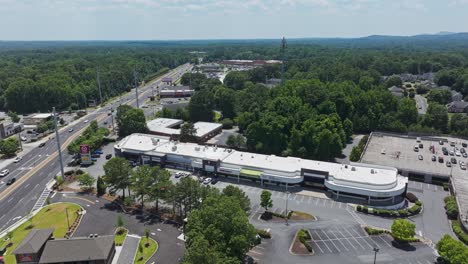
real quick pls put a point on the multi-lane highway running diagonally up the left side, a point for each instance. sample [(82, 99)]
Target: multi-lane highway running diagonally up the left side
[(40, 165)]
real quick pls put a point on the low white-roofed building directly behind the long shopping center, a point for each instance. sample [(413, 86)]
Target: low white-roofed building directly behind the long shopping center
[(169, 127)]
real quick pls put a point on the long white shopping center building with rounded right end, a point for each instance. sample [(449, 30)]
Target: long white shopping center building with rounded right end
[(371, 184)]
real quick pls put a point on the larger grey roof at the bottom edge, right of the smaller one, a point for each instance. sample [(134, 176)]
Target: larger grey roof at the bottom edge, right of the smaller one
[(77, 249)]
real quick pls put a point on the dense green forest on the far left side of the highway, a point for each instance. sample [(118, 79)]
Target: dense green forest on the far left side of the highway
[(36, 80)]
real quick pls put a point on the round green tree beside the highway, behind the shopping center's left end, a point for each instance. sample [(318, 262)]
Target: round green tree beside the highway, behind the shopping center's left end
[(130, 120)]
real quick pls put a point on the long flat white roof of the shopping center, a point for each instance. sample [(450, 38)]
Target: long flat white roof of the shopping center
[(356, 173)]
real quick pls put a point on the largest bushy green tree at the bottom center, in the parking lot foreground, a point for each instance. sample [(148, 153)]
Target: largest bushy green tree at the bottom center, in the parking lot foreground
[(219, 223)]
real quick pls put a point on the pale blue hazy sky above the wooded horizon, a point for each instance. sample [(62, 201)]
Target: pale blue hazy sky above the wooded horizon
[(225, 19)]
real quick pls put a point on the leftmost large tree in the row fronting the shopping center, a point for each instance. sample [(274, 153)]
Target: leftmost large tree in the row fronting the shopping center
[(117, 172)]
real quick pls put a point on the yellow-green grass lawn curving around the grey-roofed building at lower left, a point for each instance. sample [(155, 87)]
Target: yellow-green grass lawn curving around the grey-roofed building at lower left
[(52, 216)]
